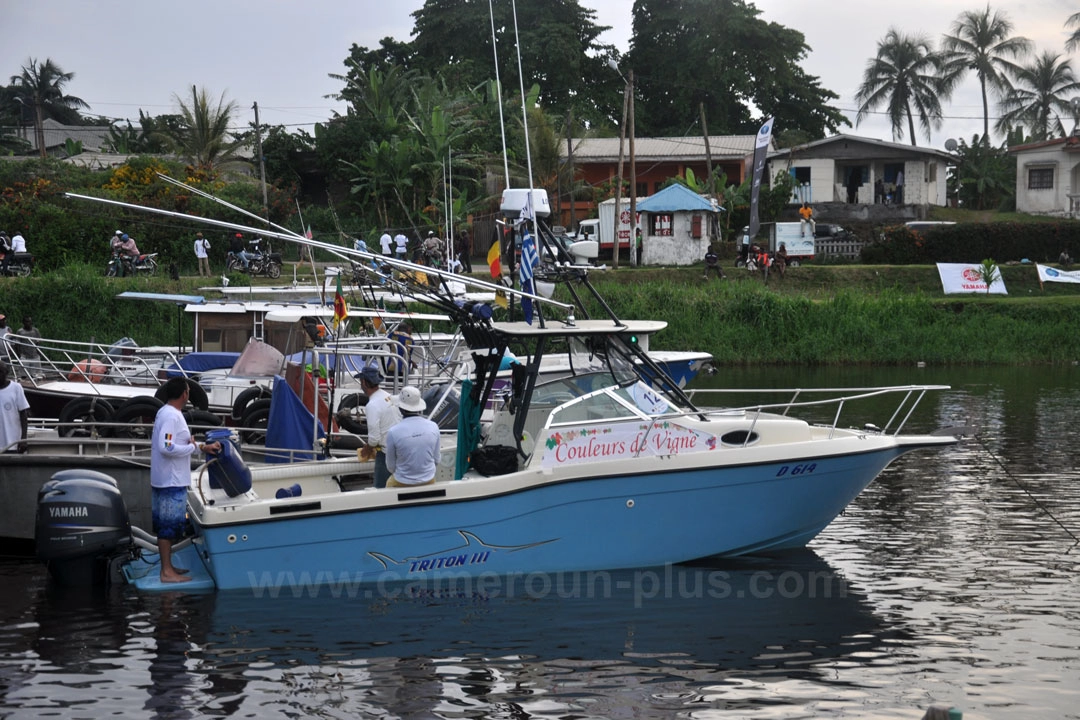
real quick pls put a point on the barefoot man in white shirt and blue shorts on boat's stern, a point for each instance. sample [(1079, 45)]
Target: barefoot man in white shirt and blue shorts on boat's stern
[(172, 447)]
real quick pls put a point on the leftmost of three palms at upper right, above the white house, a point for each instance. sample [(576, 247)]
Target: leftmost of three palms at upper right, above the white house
[(904, 74)]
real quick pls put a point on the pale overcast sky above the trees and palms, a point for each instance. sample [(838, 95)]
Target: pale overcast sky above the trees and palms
[(137, 55)]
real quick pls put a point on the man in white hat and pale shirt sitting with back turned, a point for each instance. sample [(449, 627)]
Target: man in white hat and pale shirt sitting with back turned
[(413, 452)]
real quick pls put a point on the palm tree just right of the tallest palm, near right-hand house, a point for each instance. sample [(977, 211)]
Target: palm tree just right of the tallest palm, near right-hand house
[(1039, 91)]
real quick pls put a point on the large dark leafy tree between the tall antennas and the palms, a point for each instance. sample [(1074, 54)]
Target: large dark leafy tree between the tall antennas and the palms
[(721, 56)]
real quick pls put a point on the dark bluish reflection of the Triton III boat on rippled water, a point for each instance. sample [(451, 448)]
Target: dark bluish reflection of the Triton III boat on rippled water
[(672, 637)]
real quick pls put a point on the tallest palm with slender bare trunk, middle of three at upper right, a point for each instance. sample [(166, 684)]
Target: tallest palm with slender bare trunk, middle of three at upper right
[(981, 42)]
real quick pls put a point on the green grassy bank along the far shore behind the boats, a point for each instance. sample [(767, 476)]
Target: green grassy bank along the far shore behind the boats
[(818, 315)]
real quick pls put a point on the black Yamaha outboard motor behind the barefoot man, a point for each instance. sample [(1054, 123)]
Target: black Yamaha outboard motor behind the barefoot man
[(83, 527)]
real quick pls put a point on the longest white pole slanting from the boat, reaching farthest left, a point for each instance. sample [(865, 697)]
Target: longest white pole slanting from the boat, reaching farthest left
[(293, 238)]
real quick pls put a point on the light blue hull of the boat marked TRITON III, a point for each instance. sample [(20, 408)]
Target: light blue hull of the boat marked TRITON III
[(582, 525)]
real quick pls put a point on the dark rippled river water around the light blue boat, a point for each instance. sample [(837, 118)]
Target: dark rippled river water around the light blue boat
[(952, 580)]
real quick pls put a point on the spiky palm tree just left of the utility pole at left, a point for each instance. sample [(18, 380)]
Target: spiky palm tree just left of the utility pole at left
[(202, 137)]
